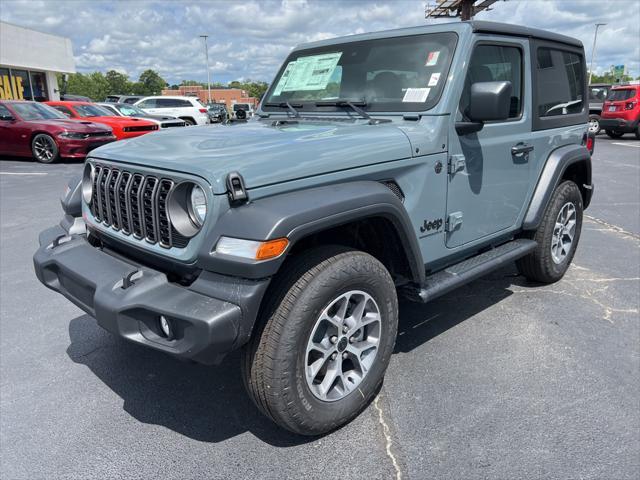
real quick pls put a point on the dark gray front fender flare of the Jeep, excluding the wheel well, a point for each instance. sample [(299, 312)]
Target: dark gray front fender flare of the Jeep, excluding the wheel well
[(296, 215)]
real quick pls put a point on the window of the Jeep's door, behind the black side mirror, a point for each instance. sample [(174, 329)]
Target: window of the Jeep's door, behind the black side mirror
[(495, 63)]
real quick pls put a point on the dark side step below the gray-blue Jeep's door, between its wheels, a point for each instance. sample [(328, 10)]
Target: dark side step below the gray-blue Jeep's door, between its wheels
[(472, 268)]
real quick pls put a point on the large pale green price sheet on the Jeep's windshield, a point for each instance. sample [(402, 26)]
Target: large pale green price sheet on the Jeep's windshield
[(309, 73)]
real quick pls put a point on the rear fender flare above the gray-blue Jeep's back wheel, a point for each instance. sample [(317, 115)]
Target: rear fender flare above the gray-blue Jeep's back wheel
[(555, 167)]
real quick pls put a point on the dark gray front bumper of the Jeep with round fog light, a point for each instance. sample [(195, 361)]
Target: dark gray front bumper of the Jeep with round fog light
[(211, 317)]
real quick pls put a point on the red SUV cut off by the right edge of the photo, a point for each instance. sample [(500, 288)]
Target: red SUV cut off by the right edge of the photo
[(621, 111)]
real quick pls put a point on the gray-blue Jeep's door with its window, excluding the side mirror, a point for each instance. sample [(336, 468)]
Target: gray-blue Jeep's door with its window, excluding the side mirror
[(488, 184)]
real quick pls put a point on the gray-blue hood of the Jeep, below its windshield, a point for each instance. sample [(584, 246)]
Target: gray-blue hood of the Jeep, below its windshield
[(262, 152)]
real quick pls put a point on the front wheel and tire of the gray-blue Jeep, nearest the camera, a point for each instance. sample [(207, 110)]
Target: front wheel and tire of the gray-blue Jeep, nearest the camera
[(324, 342)]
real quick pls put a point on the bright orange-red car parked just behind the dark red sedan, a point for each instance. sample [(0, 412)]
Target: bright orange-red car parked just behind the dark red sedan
[(123, 127)]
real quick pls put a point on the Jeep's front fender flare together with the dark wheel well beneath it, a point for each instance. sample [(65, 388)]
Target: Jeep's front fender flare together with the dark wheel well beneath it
[(363, 214)]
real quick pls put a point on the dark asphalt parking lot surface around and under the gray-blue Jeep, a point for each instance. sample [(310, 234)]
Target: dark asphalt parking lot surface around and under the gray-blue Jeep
[(502, 379)]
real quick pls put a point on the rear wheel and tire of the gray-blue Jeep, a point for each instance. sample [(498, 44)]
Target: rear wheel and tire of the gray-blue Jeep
[(556, 245)]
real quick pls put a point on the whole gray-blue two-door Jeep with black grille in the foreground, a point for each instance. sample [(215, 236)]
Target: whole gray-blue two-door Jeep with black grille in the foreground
[(403, 162)]
